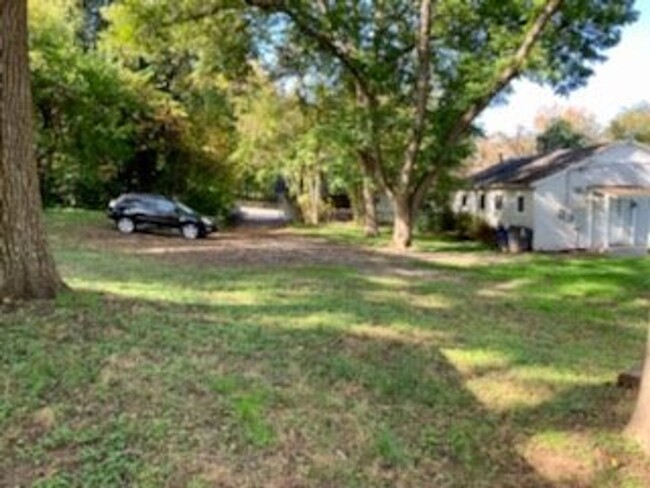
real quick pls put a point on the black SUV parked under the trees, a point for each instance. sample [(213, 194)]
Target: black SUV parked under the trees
[(138, 210)]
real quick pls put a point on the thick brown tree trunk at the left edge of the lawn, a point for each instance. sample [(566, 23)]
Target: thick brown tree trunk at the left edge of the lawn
[(26, 266)]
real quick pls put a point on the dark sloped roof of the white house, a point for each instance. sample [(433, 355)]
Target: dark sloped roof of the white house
[(524, 171)]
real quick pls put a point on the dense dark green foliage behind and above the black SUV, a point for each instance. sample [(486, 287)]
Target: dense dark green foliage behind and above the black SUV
[(107, 123)]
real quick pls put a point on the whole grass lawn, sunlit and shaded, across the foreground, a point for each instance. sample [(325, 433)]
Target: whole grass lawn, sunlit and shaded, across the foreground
[(456, 367)]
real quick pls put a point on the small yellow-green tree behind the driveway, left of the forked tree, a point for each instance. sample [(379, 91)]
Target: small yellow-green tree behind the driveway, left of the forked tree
[(286, 136)]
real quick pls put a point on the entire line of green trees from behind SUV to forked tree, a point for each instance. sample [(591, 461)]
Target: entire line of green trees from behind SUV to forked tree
[(202, 99)]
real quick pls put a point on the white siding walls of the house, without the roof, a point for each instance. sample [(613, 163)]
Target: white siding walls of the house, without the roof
[(566, 210)]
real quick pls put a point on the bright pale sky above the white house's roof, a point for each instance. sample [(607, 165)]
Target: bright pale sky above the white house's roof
[(621, 81)]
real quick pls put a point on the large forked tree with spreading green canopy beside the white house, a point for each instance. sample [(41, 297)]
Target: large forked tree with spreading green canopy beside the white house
[(423, 71)]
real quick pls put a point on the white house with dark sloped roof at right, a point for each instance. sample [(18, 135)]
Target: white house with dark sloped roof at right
[(595, 198)]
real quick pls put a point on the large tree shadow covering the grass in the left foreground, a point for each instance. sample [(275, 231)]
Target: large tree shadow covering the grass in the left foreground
[(213, 394)]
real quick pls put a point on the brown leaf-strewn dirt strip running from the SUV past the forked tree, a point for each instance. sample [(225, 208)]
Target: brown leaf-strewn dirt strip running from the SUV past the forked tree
[(260, 246)]
